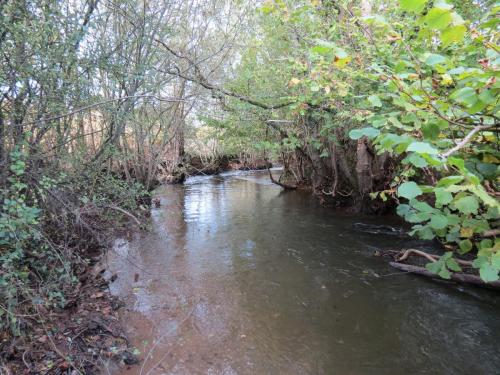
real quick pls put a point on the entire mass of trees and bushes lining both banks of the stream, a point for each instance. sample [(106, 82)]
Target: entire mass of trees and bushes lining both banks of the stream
[(95, 98)]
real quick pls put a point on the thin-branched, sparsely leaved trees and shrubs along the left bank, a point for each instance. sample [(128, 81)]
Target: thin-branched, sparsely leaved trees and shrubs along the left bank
[(92, 112)]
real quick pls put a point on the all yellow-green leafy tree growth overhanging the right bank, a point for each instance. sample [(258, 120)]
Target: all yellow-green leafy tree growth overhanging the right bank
[(417, 80)]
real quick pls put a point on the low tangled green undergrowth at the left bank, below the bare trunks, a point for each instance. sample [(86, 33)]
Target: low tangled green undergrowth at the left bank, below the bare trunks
[(49, 228)]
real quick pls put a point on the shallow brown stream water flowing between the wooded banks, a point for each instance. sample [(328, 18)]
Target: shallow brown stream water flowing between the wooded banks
[(238, 276)]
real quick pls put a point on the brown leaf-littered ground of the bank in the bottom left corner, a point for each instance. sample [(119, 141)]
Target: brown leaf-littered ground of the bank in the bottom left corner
[(82, 338)]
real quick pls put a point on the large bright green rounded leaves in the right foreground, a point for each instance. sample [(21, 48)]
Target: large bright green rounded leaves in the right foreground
[(437, 107)]
